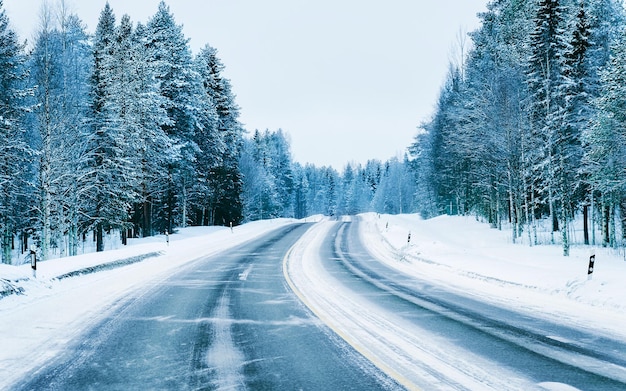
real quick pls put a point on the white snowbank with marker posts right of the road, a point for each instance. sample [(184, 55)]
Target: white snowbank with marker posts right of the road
[(464, 254)]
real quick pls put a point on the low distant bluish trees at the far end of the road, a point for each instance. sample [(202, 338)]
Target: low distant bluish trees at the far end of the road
[(276, 186)]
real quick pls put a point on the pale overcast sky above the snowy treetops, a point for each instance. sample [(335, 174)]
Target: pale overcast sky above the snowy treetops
[(347, 80)]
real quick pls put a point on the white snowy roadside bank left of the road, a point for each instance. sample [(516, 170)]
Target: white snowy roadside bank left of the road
[(38, 324)]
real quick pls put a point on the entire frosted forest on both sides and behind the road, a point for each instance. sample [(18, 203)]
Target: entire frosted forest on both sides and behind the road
[(126, 131)]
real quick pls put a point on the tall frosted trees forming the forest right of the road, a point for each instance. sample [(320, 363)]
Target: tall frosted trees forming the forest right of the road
[(531, 125)]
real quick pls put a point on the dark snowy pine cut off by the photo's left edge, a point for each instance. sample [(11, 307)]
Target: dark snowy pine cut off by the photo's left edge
[(15, 153)]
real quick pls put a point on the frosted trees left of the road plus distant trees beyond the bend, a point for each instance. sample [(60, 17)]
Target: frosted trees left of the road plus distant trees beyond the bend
[(126, 131)]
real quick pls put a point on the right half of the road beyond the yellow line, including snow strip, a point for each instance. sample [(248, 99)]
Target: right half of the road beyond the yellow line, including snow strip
[(430, 338)]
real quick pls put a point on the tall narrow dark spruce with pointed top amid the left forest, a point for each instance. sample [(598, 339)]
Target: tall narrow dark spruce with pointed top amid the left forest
[(112, 181)]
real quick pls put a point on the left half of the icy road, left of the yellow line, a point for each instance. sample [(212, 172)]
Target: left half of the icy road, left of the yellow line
[(224, 322)]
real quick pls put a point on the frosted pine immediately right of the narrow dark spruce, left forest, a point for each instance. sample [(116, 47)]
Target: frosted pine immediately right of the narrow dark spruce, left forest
[(141, 109)]
